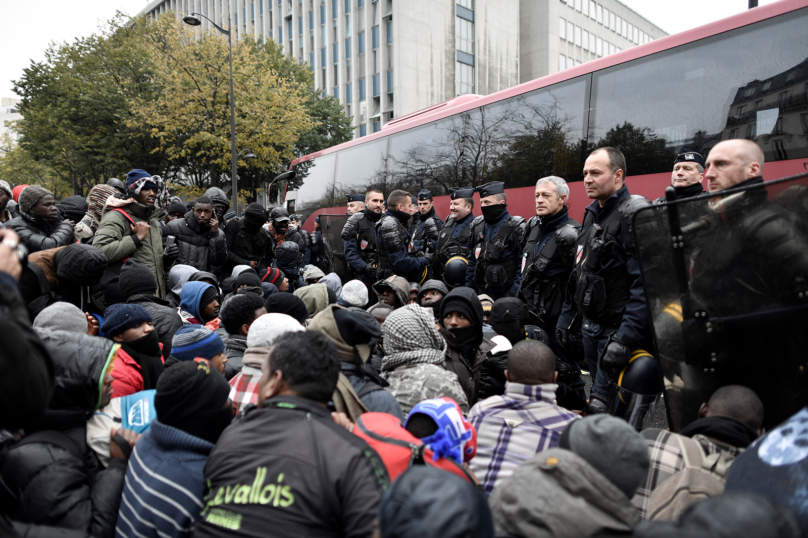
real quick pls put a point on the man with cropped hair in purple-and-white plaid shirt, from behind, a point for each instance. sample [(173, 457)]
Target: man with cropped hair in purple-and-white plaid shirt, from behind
[(515, 426)]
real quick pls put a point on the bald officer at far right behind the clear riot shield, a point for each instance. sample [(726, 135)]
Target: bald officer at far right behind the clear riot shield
[(751, 257)]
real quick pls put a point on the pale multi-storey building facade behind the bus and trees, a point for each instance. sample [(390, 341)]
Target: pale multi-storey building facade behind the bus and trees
[(384, 59)]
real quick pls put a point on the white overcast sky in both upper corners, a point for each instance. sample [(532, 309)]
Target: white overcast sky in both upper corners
[(28, 27)]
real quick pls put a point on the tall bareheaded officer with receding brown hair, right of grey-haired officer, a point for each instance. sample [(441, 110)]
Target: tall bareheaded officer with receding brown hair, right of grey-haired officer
[(608, 290)]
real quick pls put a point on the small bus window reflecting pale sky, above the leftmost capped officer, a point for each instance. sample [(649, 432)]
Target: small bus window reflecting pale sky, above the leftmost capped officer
[(361, 167)]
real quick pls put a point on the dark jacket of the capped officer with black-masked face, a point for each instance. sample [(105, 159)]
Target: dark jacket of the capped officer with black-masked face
[(497, 249)]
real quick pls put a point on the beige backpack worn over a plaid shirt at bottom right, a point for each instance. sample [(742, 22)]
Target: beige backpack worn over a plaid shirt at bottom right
[(703, 477)]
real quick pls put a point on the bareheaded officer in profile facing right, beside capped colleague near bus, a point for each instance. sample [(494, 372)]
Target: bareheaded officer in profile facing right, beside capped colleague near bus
[(396, 253)]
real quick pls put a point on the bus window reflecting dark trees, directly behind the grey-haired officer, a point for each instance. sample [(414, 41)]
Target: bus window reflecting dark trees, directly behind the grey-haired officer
[(532, 135)]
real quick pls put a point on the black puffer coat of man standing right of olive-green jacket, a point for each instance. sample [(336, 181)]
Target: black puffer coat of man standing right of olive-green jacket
[(199, 247)]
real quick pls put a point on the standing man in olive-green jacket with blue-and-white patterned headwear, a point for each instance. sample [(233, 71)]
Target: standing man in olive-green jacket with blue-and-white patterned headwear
[(130, 226)]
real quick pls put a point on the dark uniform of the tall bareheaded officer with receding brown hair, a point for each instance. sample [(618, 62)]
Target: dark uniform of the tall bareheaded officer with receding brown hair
[(608, 290)]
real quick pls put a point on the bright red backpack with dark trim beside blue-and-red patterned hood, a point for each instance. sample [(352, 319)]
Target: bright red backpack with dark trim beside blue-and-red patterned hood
[(398, 448)]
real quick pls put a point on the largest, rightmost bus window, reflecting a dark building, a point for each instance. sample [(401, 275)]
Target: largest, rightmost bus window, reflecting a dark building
[(730, 85)]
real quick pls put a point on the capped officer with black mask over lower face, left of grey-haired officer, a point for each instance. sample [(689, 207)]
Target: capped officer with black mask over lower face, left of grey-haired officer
[(497, 242)]
